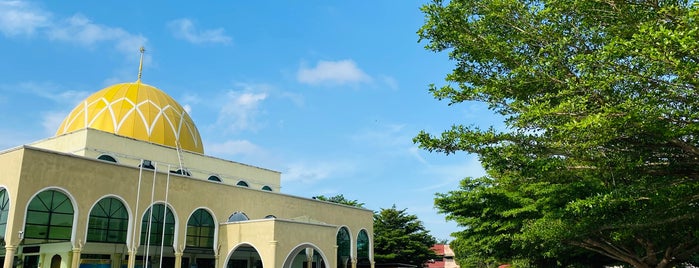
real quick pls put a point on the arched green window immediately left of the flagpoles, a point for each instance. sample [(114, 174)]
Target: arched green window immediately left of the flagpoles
[(109, 222)]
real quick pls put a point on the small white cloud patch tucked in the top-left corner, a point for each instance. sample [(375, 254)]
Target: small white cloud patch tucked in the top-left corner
[(20, 18)]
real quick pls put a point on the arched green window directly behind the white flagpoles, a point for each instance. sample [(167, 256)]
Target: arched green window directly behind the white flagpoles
[(157, 218)]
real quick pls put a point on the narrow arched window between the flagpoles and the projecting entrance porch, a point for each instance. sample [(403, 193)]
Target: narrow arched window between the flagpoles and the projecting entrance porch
[(200, 229)]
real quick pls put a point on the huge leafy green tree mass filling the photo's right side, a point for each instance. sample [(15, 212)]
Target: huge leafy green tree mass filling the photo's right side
[(601, 148)]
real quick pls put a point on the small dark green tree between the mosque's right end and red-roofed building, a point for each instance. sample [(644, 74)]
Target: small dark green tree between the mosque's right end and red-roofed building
[(401, 238)]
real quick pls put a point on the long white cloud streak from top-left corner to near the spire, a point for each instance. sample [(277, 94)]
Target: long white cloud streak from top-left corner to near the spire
[(21, 18)]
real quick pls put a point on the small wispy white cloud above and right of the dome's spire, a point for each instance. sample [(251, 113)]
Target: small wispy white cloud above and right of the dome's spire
[(185, 29)]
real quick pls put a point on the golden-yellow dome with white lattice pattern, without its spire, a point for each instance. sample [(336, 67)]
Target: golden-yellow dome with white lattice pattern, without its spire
[(138, 111)]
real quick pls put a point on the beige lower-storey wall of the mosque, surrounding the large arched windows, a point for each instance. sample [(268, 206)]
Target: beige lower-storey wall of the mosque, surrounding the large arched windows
[(87, 180)]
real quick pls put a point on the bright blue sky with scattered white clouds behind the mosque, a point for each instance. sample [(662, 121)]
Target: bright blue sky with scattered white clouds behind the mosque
[(330, 93)]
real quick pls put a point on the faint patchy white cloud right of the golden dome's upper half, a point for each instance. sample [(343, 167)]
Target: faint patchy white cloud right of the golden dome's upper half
[(239, 110)]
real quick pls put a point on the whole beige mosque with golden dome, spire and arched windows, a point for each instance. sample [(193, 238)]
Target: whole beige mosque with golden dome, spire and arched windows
[(125, 183)]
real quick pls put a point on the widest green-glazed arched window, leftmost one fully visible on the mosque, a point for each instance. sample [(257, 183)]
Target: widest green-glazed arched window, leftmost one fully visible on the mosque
[(49, 217)]
